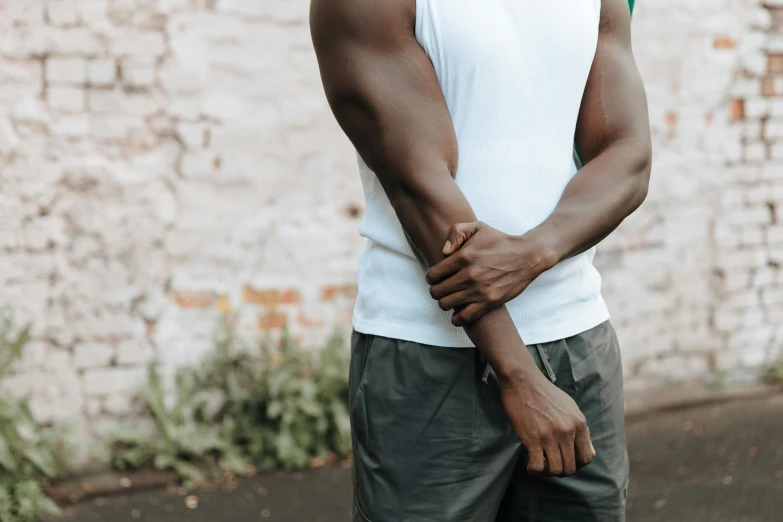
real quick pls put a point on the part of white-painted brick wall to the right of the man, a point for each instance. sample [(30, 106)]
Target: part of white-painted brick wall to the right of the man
[(687, 275)]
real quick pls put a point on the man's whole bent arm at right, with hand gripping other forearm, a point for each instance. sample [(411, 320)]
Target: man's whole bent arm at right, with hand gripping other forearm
[(486, 268)]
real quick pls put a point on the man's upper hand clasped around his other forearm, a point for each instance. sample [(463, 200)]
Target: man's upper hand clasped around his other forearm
[(484, 269)]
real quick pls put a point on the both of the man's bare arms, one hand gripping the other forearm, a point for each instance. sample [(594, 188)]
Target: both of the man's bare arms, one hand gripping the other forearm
[(385, 95)]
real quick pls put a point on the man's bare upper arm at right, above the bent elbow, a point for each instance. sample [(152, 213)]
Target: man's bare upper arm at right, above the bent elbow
[(614, 104)]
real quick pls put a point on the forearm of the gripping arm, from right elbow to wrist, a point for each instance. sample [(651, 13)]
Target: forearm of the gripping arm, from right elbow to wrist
[(598, 198)]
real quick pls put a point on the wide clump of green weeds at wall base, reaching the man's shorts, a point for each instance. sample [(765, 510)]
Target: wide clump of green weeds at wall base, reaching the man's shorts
[(274, 405)]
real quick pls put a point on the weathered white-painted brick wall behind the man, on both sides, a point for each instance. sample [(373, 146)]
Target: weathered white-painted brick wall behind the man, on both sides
[(168, 162)]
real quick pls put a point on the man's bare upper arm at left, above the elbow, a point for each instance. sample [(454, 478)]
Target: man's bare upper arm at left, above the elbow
[(383, 91)]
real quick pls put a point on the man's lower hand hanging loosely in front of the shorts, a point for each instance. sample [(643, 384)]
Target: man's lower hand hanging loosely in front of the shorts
[(548, 422)]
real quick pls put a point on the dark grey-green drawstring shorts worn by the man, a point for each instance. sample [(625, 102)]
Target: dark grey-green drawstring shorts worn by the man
[(432, 443)]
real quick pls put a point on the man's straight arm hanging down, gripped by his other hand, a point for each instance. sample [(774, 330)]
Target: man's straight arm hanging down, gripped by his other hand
[(385, 95)]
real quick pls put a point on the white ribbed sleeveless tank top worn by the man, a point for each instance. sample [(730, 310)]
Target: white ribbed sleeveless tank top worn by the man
[(513, 73)]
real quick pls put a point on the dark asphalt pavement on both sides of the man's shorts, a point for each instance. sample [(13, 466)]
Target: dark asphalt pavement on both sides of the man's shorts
[(717, 463)]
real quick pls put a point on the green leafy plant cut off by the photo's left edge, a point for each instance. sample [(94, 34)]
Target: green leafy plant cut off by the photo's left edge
[(29, 453)]
